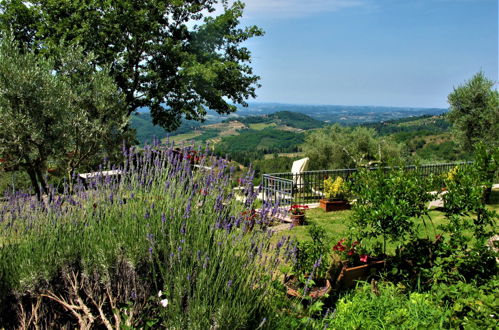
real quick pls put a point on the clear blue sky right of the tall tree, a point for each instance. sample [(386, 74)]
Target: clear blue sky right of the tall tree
[(371, 52)]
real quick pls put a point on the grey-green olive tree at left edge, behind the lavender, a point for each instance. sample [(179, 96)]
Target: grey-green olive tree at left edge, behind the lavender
[(65, 117)]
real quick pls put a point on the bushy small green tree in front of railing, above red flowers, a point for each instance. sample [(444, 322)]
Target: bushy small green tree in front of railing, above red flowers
[(387, 202)]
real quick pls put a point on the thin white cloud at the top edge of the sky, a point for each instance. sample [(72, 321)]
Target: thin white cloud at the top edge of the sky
[(297, 8)]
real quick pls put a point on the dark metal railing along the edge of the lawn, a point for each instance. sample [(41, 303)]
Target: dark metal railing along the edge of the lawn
[(307, 187)]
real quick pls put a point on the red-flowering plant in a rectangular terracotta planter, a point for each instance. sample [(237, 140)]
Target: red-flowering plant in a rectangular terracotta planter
[(351, 264)]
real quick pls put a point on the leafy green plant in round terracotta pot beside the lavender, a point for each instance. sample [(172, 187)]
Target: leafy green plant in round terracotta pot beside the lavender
[(309, 271)]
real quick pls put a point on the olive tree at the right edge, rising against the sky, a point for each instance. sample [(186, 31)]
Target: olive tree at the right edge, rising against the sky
[(474, 112)]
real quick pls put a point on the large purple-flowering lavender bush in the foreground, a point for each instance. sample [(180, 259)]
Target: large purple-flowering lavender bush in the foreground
[(163, 244)]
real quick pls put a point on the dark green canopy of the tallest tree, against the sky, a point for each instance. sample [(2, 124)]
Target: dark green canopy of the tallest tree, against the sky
[(156, 54)]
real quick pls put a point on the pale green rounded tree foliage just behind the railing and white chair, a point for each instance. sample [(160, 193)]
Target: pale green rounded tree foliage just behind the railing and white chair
[(343, 147)]
